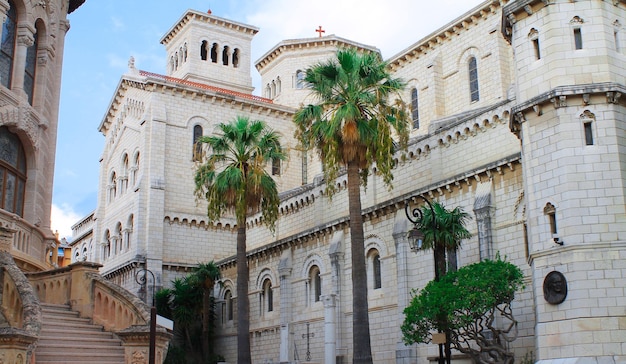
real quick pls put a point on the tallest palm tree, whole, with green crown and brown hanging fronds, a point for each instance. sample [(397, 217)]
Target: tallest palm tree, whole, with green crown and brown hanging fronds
[(351, 127)]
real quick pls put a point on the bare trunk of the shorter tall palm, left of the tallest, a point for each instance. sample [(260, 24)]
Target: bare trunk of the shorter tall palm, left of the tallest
[(243, 306)]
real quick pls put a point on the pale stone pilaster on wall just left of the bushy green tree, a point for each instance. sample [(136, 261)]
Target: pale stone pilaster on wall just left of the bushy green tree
[(404, 354)]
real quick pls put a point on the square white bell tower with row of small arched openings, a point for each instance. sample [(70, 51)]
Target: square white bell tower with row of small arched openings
[(205, 48)]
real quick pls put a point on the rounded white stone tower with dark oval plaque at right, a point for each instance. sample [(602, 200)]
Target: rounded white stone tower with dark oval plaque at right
[(569, 117)]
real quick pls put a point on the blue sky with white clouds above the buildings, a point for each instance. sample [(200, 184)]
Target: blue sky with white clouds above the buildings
[(104, 34)]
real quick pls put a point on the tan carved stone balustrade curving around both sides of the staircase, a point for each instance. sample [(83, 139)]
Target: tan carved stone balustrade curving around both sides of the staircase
[(85, 291)]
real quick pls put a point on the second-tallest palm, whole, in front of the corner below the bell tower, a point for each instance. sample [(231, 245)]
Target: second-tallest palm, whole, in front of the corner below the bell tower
[(232, 178)]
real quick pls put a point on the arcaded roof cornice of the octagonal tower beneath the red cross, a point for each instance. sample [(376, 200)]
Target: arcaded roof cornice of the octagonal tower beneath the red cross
[(315, 42)]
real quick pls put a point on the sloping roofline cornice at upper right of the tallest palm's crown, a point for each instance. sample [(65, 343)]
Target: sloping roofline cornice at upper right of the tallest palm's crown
[(446, 33)]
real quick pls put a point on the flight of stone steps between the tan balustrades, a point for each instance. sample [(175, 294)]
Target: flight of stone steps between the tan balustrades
[(68, 339)]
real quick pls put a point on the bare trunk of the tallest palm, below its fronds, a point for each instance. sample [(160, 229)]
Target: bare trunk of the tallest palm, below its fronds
[(362, 348)]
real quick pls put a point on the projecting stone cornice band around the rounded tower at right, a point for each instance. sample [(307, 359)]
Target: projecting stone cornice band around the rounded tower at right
[(558, 98)]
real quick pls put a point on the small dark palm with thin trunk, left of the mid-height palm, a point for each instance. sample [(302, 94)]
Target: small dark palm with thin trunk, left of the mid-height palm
[(206, 275)]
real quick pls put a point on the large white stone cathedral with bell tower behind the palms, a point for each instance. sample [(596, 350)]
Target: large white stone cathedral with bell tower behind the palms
[(517, 118)]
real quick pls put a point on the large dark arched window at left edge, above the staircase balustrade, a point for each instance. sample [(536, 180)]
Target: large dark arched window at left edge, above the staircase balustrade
[(12, 172)]
